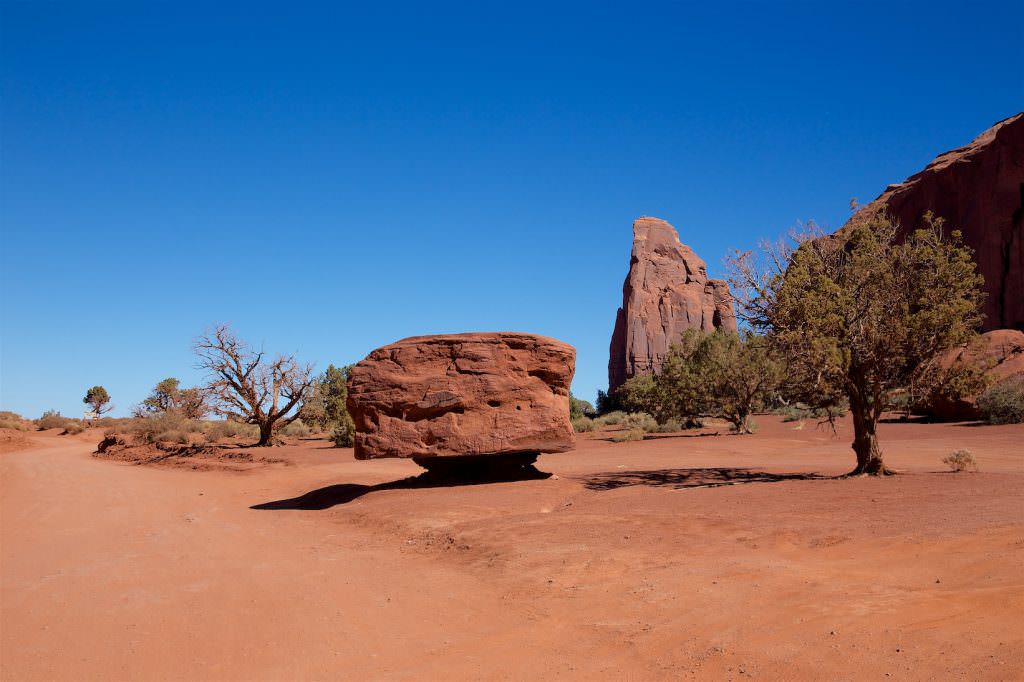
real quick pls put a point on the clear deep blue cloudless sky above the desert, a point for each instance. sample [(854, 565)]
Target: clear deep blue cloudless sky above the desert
[(333, 178)]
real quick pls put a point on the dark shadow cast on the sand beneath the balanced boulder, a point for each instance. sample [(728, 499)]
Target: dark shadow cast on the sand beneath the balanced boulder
[(331, 496)]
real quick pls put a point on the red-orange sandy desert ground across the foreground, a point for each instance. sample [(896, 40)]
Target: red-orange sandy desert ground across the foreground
[(627, 566)]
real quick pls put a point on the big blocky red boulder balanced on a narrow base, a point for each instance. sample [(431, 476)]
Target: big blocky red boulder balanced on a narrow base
[(463, 395)]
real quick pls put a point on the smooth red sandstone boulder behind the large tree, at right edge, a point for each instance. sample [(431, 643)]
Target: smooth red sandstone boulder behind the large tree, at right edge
[(1000, 354)]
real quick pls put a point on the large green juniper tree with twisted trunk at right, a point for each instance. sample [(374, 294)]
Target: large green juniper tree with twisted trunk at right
[(856, 315)]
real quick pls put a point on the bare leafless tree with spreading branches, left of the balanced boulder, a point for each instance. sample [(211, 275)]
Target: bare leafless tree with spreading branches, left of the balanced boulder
[(246, 387)]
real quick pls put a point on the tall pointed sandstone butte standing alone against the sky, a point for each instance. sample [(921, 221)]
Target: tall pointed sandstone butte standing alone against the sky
[(667, 292)]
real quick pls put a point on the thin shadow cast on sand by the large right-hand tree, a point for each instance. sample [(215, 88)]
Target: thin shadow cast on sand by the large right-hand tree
[(684, 479)]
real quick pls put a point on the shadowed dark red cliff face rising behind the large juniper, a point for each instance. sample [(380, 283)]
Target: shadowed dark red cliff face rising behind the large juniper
[(979, 190)]
